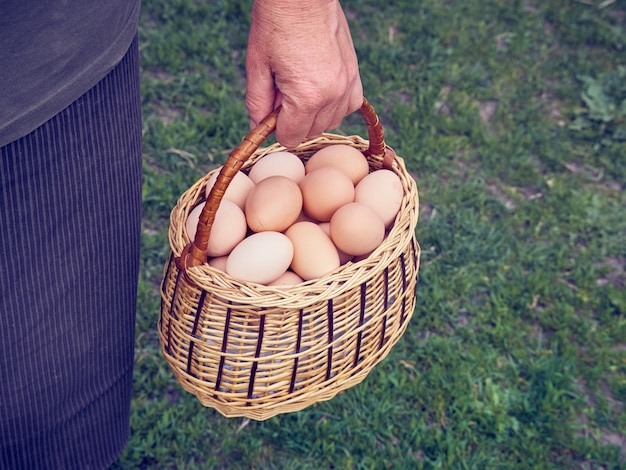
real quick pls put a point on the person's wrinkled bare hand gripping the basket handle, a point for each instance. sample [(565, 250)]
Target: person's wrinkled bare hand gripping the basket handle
[(301, 56)]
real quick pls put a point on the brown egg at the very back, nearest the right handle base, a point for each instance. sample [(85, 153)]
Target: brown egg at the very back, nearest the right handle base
[(346, 158)]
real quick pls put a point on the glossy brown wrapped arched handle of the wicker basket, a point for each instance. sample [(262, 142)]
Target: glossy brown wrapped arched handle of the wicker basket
[(194, 254)]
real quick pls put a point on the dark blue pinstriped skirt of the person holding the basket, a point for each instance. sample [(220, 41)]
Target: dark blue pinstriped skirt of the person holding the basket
[(70, 215)]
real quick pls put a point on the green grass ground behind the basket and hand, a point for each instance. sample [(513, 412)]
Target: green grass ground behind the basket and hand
[(512, 117)]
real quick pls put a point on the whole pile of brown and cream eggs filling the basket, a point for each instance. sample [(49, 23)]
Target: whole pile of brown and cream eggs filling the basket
[(285, 221)]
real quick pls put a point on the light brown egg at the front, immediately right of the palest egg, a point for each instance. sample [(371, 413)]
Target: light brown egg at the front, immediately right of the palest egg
[(314, 254)]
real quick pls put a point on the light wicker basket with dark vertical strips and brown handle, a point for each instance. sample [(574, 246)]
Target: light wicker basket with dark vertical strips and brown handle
[(257, 351)]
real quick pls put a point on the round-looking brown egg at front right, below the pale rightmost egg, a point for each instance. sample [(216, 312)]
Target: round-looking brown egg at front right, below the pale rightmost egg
[(356, 229)]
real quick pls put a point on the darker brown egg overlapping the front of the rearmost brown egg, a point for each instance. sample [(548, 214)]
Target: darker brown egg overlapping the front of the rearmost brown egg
[(324, 190)]
